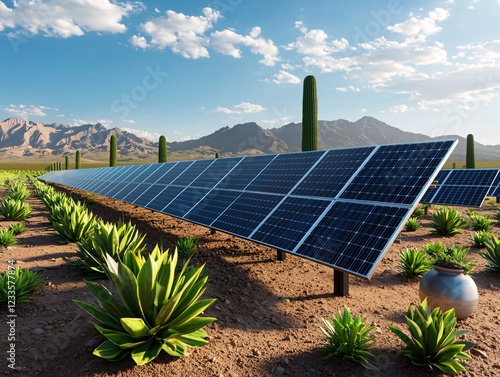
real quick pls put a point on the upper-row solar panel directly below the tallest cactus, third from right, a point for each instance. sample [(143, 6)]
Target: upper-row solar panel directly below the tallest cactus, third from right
[(284, 172)]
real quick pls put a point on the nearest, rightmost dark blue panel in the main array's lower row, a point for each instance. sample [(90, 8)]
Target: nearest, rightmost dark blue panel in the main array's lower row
[(352, 236)]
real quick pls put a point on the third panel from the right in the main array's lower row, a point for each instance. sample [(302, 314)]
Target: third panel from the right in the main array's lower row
[(246, 212)]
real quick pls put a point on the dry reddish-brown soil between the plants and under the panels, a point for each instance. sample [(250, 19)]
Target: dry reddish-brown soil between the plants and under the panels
[(268, 312)]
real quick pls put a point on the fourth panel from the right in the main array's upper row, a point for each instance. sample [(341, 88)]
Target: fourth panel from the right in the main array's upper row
[(245, 172)]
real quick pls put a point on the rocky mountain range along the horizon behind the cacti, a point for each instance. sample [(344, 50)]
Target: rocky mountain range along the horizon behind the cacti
[(26, 139)]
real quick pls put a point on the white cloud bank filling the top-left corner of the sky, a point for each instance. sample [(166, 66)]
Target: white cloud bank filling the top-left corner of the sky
[(66, 18)]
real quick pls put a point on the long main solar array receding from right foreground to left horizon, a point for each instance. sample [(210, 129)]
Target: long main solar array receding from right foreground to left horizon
[(342, 208)]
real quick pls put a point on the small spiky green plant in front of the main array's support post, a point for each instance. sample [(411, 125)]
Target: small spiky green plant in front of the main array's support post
[(349, 338)]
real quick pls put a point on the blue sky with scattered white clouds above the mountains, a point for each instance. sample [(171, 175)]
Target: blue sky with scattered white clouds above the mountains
[(184, 69)]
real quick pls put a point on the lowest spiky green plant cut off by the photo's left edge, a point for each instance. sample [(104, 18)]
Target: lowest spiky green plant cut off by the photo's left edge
[(20, 283)]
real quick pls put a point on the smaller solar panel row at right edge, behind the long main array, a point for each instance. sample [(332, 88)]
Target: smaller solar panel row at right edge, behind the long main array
[(461, 187)]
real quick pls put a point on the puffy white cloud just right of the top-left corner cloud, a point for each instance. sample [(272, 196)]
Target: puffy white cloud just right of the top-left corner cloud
[(184, 35)]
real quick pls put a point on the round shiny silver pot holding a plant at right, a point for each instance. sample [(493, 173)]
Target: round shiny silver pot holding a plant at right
[(449, 288)]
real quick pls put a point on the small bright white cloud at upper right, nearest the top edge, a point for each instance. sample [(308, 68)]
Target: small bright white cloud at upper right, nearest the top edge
[(426, 26)]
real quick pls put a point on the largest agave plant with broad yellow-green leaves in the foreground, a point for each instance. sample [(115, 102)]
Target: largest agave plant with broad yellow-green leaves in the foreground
[(156, 309)]
